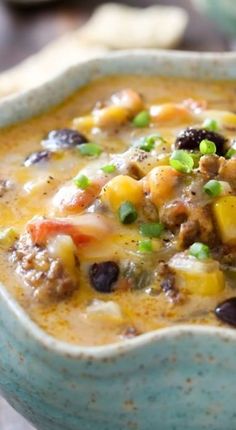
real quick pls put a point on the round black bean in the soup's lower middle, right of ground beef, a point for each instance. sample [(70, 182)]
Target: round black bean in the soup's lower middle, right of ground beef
[(103, 276)]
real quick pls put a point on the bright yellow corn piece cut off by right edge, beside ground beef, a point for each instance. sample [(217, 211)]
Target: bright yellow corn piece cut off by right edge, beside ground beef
[(225, 214)]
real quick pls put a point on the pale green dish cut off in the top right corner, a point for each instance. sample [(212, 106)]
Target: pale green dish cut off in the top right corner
[(221, 11)]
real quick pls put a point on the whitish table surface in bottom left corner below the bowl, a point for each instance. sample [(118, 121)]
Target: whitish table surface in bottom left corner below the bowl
[(10, 420)]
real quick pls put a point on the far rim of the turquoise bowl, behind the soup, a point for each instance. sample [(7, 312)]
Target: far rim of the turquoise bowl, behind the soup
[(21, 103)]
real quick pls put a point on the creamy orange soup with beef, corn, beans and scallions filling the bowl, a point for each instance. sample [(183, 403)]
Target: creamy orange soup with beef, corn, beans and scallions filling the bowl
[(118, 209)]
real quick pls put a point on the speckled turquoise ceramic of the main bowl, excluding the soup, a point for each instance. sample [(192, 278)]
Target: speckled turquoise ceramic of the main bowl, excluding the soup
[(180, 378)]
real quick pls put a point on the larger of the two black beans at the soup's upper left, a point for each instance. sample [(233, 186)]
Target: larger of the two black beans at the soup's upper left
[(63, 138)]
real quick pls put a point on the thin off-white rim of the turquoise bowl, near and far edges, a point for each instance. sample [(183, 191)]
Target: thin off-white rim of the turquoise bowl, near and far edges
[(67, 349)]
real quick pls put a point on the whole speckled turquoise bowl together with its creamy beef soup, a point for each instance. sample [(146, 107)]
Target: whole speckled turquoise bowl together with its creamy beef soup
[(117, 248)]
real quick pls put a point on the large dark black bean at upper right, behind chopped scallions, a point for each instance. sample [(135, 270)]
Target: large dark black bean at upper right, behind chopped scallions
[(190, 139)]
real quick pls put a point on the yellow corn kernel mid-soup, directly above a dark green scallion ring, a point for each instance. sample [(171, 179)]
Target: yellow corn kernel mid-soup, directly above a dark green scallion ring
[(120, 189)]
